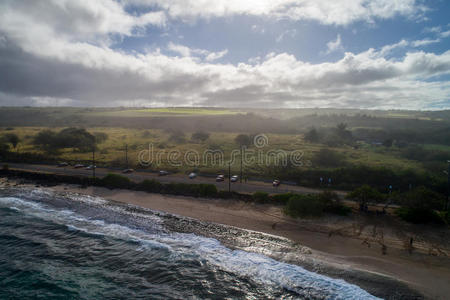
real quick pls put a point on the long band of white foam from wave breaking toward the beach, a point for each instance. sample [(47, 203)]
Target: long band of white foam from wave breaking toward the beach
[(256, 267)]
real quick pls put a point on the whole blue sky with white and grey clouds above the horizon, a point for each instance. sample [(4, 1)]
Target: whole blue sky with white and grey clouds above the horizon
[(368, 54)]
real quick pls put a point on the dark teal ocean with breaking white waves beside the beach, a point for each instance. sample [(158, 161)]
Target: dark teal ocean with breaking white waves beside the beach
[(70, 246)]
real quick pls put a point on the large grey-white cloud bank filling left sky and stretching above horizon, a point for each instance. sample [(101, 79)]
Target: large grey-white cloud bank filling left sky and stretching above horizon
[(44, 62)]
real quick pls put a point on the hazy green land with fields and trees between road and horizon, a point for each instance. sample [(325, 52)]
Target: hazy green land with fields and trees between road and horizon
[(402, 149)]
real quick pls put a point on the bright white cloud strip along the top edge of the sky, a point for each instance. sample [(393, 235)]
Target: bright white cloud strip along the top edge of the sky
[(331, 12)]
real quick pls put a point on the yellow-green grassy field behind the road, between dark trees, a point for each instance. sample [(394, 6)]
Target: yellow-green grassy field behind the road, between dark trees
[(112, 151)]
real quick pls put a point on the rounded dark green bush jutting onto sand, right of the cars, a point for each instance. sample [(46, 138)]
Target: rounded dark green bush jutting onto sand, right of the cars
[(304, 205)]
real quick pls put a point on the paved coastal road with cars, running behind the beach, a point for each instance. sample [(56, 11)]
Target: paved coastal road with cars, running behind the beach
[(137, 176)]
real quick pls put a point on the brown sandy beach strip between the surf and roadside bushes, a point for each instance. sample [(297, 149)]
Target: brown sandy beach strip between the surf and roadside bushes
[(427, 274)]
